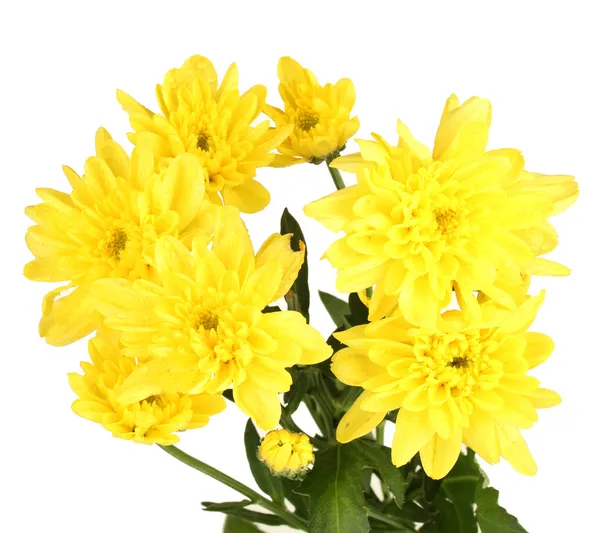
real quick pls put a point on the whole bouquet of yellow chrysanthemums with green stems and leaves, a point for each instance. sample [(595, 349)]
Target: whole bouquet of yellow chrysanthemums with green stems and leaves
[(435, 248)]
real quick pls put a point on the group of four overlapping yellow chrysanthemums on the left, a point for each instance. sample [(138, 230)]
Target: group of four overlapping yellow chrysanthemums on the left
[(152, 252)]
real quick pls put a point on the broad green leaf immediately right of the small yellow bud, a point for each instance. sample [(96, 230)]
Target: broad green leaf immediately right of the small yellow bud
[(337, 503)]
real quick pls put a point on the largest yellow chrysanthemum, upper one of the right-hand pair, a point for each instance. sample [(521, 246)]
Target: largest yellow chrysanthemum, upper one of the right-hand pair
[(418, 225)]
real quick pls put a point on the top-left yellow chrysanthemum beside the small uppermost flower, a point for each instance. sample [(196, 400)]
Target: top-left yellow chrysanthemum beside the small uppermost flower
[(214, 123)]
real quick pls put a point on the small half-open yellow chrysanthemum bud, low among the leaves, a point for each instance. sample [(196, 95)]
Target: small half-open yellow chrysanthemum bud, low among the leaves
[(287, 454)]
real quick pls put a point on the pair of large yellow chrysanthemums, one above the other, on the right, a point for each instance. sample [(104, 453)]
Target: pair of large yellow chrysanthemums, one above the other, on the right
[(419, 228)]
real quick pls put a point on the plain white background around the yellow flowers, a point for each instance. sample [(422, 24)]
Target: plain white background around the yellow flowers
[(60, 65)]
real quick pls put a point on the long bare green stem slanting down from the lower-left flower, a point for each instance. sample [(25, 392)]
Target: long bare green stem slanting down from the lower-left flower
[(289, 518)]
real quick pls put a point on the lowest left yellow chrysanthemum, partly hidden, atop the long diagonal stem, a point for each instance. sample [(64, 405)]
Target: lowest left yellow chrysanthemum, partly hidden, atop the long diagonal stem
[(151, 420)]
